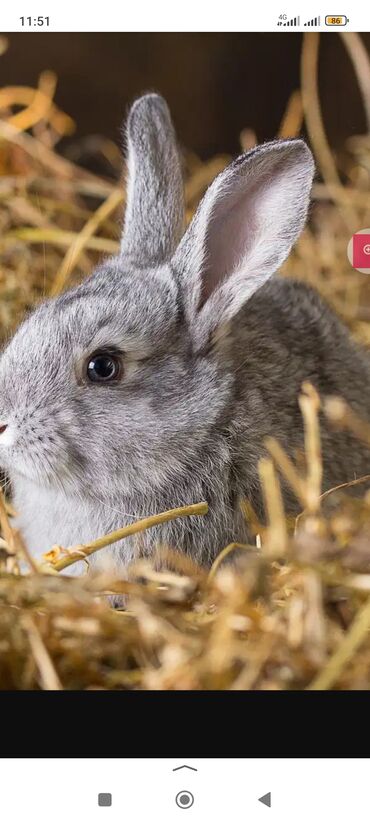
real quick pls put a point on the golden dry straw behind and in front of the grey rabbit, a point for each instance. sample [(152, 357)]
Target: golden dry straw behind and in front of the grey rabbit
[(293, 613)]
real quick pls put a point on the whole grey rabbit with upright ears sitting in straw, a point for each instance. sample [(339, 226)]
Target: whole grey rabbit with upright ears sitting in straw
[(155, 382)]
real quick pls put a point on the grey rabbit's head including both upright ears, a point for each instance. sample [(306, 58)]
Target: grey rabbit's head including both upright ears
[(116, 384)]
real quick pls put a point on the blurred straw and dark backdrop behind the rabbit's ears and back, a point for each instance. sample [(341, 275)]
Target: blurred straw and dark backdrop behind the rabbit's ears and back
[(63, 98)]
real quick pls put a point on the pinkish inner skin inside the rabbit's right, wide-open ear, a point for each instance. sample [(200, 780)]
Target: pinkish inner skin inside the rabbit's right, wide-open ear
[(229, 237)]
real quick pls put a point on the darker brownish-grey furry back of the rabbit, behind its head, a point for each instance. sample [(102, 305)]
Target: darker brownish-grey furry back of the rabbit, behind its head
[(285, 336)]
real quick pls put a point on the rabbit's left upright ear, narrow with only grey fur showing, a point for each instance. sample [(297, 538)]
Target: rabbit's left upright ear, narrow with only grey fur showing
[(154, 217)]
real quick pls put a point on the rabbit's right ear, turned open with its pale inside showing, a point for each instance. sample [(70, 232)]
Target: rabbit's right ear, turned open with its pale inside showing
[(242, 231)]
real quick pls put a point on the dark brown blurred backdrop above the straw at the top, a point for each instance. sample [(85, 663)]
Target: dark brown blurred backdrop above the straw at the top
[(215, 84)]
